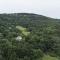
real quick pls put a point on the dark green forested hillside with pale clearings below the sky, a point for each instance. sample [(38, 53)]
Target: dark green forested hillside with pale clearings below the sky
[(26, 36)]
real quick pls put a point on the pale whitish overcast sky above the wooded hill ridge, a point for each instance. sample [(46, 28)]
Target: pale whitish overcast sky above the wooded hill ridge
[(50, 8)]
